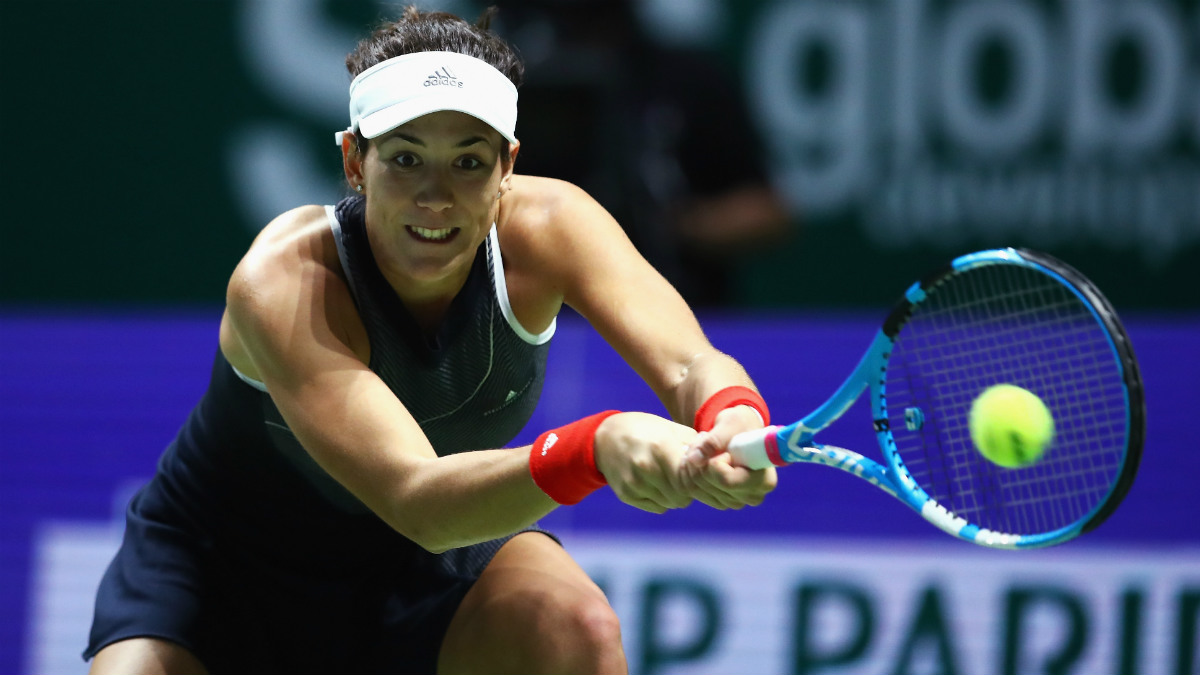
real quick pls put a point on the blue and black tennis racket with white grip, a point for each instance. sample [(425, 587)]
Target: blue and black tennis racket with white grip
[(998, 316)]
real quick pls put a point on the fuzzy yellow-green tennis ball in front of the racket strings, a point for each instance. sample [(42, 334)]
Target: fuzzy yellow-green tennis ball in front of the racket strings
[(1011, 426)]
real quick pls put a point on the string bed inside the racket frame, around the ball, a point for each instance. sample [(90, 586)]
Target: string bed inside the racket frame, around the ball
[(1009, 325)]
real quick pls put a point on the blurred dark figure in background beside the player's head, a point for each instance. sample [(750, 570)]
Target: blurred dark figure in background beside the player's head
[(659, 135)]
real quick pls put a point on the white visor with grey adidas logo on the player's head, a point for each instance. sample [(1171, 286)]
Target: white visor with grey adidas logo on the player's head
[(405, 88)]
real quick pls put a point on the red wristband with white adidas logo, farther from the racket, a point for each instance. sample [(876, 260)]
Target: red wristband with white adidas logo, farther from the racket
[(563, 461)]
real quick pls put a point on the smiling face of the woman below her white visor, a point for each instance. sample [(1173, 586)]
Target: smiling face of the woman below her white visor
[(433, 190)]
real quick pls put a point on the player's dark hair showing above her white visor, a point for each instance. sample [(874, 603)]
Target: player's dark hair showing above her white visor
[(419, 31)]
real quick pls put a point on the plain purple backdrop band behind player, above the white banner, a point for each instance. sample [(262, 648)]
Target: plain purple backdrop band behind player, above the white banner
[(89, 401)]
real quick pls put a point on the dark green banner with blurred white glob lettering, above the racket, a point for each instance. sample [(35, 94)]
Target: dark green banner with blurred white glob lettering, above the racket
[(903, 130)]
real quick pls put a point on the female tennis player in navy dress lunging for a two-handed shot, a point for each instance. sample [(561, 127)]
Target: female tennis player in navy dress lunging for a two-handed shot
[(343, 499)]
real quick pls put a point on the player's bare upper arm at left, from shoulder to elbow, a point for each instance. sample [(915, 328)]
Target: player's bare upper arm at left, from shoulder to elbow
[(292, 316)]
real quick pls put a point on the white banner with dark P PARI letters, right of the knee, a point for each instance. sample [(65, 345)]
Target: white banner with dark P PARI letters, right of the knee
[(724, 606)]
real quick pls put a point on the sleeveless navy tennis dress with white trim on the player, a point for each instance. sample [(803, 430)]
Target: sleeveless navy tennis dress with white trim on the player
[(245, 552)]
